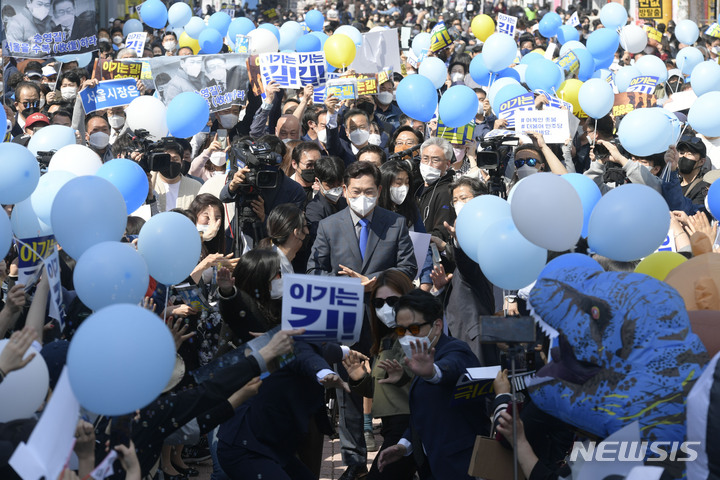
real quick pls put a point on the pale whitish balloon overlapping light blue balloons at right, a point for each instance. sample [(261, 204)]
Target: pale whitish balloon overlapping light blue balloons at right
[(547, 211)]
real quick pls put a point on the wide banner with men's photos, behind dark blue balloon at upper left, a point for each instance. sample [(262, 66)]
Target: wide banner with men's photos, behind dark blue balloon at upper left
[(221, 79)]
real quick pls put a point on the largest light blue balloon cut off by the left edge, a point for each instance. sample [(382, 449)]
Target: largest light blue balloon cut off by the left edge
[(19, 174)]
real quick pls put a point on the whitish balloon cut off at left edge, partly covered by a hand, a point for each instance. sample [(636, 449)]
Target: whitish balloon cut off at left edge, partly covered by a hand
[(23, 391)]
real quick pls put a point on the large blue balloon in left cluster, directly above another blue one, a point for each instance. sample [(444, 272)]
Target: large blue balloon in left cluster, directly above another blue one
[(87, 210)]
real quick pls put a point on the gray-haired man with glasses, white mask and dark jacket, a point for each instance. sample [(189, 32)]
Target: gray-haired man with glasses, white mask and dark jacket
[(434, 197)]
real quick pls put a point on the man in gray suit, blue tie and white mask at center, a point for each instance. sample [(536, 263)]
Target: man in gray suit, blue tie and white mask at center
[(360, 241)]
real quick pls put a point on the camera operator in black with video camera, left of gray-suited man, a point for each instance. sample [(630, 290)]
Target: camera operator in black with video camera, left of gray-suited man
[(255, 199)]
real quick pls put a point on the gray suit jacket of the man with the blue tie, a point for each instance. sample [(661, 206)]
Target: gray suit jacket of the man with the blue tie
[(389, 245)]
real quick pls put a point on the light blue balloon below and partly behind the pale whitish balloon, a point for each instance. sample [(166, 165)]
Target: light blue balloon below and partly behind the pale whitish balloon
[(507, 258)]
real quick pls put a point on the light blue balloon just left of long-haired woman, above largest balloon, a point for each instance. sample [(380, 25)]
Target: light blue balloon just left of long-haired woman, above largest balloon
[(169, 262)]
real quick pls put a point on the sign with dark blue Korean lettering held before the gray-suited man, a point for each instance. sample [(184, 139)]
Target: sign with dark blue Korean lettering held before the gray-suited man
[(328, 308)]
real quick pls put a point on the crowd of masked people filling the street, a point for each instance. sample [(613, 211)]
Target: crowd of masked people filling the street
[(352, 179)]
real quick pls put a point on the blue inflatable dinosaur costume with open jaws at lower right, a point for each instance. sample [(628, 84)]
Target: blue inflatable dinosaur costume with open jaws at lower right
[(626, 352)]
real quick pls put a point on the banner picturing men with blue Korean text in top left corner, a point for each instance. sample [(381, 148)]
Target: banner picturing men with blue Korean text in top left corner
[(69, 27)]
